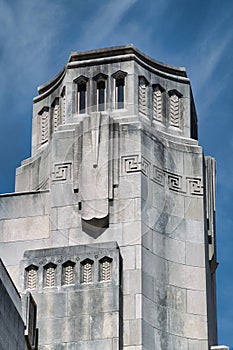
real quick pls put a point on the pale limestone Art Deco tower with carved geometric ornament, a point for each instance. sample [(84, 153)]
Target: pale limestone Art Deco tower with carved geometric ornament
[(111, 227)]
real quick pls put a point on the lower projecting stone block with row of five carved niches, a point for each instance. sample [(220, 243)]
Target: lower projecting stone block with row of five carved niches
[(78, 294)]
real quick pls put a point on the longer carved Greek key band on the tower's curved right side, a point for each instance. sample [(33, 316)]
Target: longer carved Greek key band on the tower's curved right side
[(174, 182)]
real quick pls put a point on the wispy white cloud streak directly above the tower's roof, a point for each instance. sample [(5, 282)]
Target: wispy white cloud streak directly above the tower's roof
[(106, 19)]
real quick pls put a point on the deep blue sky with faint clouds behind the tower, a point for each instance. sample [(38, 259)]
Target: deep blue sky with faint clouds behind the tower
[(37, 36)]
